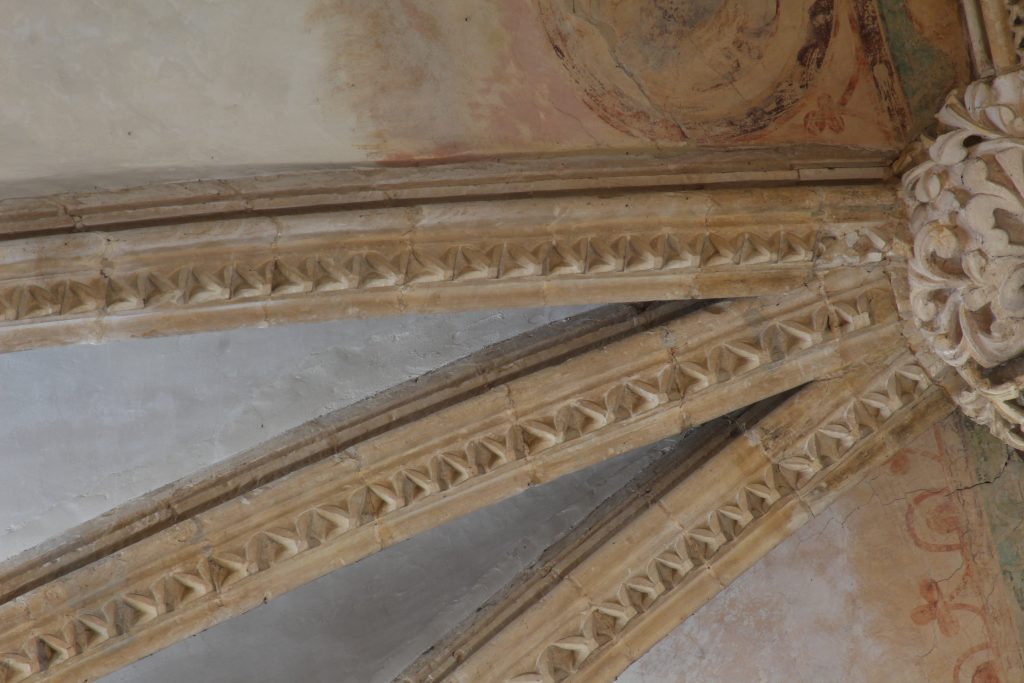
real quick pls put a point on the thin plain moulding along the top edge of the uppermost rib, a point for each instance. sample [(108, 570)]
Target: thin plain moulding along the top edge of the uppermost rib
[(382, 186)]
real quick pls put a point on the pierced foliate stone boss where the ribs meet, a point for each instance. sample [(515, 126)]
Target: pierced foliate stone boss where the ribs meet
[(966, 273)]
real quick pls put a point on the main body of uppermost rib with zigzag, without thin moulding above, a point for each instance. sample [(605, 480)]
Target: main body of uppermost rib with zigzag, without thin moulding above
[(316, 263)]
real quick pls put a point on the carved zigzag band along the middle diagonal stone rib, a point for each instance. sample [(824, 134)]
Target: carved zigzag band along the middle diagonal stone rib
[(410, 485)]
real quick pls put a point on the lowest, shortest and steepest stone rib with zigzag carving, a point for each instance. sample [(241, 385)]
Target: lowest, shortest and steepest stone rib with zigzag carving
[(657, 552)]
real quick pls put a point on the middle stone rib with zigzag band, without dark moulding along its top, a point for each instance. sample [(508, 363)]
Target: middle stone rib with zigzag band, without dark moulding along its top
[(397, 483)]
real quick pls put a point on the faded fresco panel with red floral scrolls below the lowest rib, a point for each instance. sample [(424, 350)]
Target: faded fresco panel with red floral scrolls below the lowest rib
[(914, 577)]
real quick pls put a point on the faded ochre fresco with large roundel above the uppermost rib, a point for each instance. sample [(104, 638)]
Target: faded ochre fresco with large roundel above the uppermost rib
[(480, 79)]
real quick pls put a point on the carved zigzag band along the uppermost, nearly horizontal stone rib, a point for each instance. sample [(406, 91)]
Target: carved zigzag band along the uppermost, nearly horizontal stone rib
[(326, 272)]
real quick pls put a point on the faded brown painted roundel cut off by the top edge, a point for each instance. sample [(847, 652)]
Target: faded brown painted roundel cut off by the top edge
[(702, 70)]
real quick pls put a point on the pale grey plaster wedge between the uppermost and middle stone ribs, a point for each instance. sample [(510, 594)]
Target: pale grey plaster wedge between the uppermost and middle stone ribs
[(87, 429)]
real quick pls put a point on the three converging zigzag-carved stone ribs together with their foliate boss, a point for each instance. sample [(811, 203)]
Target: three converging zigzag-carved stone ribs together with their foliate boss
[(757, 300)]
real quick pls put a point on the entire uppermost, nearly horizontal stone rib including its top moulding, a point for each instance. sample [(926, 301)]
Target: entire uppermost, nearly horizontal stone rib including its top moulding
[(164, 260)]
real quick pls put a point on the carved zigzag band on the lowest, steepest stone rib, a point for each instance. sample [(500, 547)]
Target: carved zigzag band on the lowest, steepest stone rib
[(697, 547)]
